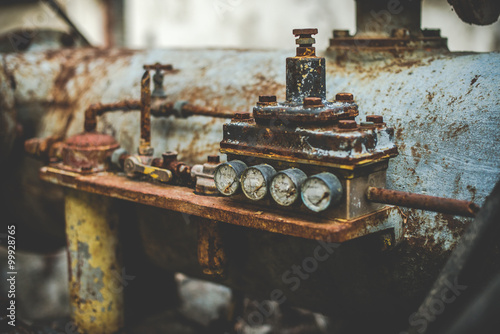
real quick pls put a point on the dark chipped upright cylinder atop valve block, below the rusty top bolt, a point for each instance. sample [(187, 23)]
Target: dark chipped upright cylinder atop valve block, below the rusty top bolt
[(305, 77)]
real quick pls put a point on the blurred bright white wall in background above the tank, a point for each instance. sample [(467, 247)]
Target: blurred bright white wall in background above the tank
[(268, 23)]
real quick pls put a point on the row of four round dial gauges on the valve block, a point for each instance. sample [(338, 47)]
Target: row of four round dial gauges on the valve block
[(318, 192)]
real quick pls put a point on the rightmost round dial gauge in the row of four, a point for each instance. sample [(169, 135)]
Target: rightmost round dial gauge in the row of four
[(321, 191)]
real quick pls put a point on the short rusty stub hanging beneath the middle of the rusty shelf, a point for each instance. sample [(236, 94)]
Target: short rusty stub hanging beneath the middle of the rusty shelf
[(212, 255)]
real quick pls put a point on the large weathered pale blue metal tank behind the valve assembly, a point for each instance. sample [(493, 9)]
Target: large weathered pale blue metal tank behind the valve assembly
[(443, 106)]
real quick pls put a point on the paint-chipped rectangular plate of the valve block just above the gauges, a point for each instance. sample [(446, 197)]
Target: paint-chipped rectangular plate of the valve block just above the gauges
[(329, 145)]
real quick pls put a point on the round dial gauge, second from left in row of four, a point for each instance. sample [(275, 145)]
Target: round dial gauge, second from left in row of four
[(255, 181)]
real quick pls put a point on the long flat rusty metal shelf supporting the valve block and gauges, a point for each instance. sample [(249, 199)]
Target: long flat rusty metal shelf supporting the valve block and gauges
[(183, 200)]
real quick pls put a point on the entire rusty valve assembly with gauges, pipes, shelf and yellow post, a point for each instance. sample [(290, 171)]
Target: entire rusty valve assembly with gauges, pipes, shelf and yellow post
[(316, 172)]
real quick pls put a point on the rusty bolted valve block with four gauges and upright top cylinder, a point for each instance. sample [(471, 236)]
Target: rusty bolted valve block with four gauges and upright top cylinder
[(284, 143)]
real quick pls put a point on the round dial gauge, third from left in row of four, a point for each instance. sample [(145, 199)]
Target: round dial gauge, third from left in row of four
[(285, 187)]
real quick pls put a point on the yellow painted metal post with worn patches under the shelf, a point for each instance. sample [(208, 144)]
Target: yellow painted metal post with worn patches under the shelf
[(96, 287)]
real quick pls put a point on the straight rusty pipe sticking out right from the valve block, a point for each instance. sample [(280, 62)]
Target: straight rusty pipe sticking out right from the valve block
[(422, 202)]
